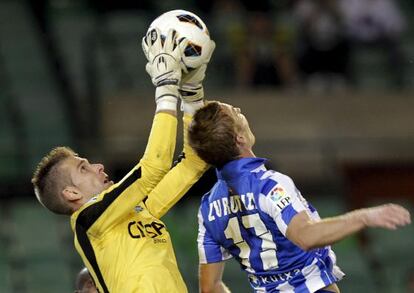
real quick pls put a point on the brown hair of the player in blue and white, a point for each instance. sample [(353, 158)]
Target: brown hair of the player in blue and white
[(212, 134)]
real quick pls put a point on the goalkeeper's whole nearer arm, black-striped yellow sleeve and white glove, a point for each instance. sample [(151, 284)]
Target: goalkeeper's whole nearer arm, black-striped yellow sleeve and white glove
[(165, 71)]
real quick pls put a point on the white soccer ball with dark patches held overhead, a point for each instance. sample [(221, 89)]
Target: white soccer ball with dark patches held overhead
[(190, 26)]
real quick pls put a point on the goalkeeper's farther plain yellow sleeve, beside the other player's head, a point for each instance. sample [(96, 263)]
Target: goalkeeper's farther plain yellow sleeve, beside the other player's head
[(178, 180)]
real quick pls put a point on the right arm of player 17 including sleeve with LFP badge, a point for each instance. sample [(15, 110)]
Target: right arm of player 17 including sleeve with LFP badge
[(296, 220)]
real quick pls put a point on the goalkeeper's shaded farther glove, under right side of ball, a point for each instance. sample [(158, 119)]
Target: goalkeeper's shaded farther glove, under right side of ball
[(191, 86)]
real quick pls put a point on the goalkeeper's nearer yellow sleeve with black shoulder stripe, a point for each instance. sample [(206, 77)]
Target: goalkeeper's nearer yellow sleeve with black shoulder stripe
[(105, 210)]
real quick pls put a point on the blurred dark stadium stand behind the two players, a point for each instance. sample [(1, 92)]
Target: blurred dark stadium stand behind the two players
[(72, 73)]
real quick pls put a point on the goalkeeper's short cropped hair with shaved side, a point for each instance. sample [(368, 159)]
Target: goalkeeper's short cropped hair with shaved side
[(49, 180)]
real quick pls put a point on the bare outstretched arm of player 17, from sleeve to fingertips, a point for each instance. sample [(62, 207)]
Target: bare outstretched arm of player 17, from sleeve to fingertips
[(309, 234)]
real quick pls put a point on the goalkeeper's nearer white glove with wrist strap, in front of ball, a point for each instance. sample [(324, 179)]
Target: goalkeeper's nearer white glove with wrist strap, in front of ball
[(164, 66)]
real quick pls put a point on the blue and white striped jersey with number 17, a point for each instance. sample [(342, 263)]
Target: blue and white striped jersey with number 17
[(246, 215)]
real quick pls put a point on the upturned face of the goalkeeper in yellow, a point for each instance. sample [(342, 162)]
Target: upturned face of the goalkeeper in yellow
[(87, 180)]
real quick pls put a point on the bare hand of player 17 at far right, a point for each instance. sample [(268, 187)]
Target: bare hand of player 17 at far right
[(389, 216)]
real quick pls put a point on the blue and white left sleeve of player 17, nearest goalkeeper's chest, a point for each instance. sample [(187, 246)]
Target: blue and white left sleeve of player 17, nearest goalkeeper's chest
[(209, 251)]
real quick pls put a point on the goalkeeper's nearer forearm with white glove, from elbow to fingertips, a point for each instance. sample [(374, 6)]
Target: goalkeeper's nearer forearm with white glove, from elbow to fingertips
[(164, 69)]
